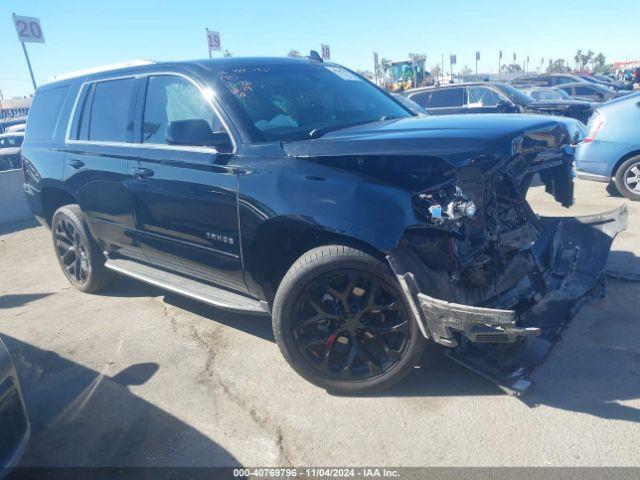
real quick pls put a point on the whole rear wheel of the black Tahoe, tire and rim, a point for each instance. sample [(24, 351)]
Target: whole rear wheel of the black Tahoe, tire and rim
[(79, 256)]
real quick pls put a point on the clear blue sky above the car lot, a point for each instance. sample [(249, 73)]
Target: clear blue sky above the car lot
[(81, 34)]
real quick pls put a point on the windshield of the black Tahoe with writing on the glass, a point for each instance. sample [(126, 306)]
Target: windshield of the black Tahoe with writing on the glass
[(290, 102)]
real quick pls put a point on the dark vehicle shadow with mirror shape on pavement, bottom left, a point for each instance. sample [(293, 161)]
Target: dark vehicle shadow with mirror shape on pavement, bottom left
[(82, 417)]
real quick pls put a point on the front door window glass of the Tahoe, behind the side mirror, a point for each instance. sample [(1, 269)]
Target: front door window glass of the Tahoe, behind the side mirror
[(169, 99)]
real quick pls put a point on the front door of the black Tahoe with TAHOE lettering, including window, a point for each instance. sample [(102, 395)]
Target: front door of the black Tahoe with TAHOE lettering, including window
[(184, 197)]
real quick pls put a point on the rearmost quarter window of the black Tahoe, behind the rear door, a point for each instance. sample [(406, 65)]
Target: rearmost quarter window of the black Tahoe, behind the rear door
[(44, 113)]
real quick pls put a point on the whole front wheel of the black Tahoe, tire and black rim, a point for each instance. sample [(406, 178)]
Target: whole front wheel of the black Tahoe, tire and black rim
[(341, 321)]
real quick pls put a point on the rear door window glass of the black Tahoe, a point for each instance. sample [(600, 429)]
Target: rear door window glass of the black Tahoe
[(105, 113)]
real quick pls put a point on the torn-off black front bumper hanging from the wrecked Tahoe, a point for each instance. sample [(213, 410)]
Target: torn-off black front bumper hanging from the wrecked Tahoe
[(505, 344)]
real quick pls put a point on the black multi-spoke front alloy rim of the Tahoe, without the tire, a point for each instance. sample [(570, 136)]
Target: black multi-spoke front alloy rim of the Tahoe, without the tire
[(350, 325)]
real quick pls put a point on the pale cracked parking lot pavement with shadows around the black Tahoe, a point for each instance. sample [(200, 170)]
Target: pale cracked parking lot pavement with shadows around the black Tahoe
[(137, 377)]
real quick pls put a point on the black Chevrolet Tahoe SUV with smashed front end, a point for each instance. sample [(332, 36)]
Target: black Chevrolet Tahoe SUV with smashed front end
[(297, 189)]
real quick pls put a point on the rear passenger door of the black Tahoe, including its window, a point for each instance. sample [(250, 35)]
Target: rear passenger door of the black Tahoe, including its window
[(98, 152)]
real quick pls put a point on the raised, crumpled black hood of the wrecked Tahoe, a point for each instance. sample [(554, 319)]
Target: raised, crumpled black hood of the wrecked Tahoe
[(455, 138)]
